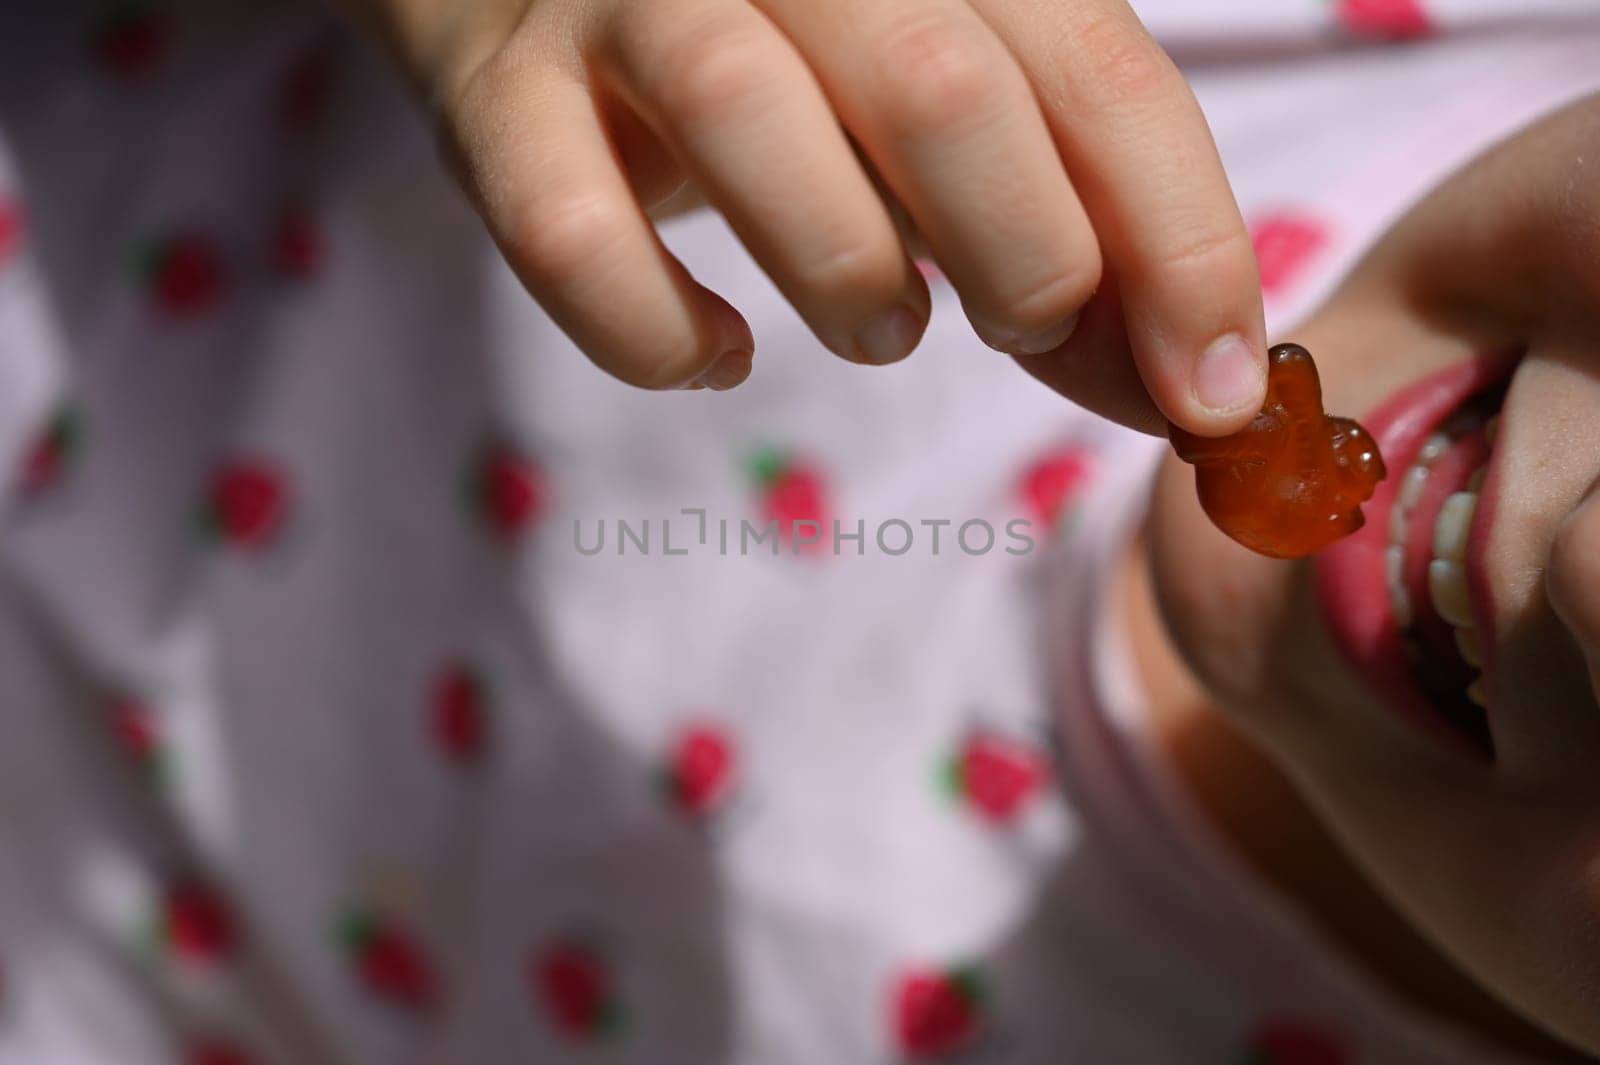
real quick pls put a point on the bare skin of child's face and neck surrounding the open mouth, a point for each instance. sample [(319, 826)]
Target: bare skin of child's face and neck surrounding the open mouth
[(1466, 884)]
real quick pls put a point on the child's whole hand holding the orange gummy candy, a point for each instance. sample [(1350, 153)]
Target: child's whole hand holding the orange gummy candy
[(1038, 148)]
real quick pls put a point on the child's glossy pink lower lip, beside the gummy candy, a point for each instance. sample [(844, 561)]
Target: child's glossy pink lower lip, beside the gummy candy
[(1351, 583)]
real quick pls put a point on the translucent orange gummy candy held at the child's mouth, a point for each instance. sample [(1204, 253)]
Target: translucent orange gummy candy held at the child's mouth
[(1295, 479)]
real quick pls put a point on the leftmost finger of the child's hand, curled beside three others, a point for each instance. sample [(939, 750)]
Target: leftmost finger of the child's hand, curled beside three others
[(535, 156)]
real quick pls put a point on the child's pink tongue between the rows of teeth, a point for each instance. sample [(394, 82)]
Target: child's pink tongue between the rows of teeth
[(1447, 476)]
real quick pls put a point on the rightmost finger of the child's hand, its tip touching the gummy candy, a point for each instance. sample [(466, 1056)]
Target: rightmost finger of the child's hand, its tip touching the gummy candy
[(1145, 164)]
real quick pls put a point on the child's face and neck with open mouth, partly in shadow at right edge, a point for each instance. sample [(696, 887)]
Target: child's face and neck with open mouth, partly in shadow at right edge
[(1495, 856)]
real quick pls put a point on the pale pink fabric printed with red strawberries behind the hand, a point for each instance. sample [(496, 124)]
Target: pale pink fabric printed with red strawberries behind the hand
[(383, 685)]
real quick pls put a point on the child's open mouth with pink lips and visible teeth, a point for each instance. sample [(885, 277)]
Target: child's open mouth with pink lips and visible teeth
[(1406, 597)]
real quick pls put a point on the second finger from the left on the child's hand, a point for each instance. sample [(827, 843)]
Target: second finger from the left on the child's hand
[(748, 121)]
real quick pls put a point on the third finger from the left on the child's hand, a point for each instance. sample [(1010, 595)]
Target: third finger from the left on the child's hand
[(950, 122)]
